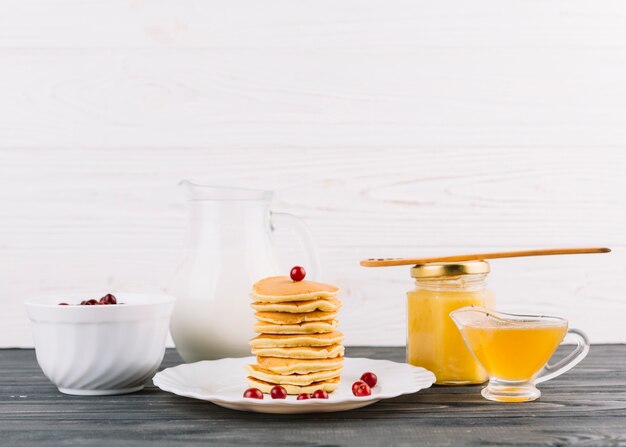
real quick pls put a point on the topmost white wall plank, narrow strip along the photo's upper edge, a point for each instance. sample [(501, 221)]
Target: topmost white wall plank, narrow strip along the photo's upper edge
[(312, 24)]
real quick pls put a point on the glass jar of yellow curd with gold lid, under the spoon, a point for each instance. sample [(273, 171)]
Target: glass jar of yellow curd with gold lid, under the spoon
[(433, 340)]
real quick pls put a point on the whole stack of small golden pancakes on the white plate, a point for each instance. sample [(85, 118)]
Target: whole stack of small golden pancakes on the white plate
[(297, 347)]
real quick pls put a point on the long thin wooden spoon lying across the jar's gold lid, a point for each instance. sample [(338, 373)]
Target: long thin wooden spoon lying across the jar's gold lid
[(387, 262)]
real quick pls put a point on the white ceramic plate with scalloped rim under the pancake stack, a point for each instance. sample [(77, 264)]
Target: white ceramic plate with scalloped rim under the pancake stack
[(224, 381)]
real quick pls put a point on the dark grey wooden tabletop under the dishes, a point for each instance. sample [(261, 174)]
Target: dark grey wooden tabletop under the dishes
[(586, 406)]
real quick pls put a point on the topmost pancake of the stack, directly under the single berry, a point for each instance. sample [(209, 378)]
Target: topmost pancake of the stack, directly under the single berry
[(277, 289)]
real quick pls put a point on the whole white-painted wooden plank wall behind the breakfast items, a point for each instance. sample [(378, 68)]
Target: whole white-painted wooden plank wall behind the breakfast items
[(394, 127)]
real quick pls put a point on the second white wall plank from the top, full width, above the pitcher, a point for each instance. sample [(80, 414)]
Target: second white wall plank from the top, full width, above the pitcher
[(292, 98)]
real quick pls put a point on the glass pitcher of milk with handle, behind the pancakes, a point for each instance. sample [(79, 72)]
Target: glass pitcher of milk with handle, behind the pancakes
[(228, 247)]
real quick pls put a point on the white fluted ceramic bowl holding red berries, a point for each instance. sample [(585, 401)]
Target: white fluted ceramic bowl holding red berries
[(99, 350)]
